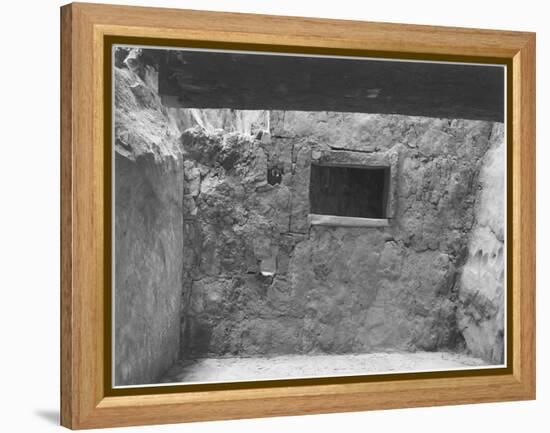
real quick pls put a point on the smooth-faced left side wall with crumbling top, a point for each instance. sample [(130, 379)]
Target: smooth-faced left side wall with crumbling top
[(148, 235)]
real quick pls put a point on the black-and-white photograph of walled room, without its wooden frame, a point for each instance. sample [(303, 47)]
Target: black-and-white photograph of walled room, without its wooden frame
[(289, 216)]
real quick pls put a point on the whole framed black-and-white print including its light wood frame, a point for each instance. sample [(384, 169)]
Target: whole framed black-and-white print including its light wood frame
[(269, 216)]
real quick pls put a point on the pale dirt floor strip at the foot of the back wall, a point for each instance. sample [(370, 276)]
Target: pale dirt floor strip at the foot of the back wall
[(299, 366)]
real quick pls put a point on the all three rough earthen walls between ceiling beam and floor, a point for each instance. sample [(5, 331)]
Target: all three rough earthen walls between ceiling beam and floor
[(213, 260)]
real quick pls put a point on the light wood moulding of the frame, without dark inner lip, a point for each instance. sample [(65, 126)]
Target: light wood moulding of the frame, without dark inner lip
[(83, 403)]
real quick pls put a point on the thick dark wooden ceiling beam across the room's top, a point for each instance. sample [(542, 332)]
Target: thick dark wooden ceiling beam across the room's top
[(198, 79)]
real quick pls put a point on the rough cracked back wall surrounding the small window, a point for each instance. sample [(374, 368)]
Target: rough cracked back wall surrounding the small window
[(262, 281)]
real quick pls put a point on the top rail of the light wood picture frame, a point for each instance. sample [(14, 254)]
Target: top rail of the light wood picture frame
[(307, 31)]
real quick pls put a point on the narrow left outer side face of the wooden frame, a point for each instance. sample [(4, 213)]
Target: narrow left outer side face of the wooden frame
[(66, 335)]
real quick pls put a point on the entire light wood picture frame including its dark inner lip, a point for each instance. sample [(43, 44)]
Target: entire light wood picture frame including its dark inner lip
[(88, 398)]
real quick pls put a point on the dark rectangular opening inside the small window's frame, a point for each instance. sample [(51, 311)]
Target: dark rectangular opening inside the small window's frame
[(348, 191)]
